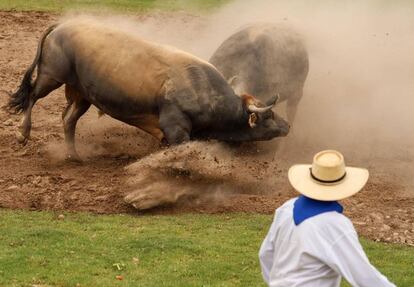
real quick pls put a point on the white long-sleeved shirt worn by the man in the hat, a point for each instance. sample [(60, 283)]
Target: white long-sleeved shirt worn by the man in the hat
[(315, 253)]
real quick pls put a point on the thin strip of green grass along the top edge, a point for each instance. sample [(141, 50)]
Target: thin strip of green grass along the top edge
[(117, 5)]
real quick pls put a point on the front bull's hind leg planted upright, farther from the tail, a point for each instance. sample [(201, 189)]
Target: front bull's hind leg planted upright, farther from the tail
[(77, 106)]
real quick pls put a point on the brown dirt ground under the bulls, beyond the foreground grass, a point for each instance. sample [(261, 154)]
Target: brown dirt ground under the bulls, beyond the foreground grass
[(36, 176)]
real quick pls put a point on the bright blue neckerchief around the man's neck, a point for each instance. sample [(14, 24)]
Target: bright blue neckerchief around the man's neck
[(305, 207)]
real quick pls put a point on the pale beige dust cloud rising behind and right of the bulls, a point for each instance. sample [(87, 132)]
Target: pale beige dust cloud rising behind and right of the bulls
[(359, 93)]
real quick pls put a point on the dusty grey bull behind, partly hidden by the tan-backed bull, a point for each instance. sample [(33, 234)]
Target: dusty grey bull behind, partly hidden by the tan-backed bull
[(262, 59)]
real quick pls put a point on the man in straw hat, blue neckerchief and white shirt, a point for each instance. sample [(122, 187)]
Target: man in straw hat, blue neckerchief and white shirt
[(310, 242)]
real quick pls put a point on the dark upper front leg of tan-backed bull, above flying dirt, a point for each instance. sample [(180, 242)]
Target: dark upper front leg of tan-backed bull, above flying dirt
[(175, 125)]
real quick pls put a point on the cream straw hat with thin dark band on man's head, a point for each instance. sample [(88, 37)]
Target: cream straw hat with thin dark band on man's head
[(327, 178)]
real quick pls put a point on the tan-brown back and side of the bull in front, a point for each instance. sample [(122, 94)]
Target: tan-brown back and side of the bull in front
[(117, 71)]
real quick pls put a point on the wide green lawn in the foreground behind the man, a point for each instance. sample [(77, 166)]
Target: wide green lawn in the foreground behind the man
[(184, 250)]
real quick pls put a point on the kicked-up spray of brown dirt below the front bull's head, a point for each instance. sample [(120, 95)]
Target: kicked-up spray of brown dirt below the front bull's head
[(210, 171)]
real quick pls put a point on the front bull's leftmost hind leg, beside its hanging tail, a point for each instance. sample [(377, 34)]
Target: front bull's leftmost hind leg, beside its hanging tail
[(42, 87)]
